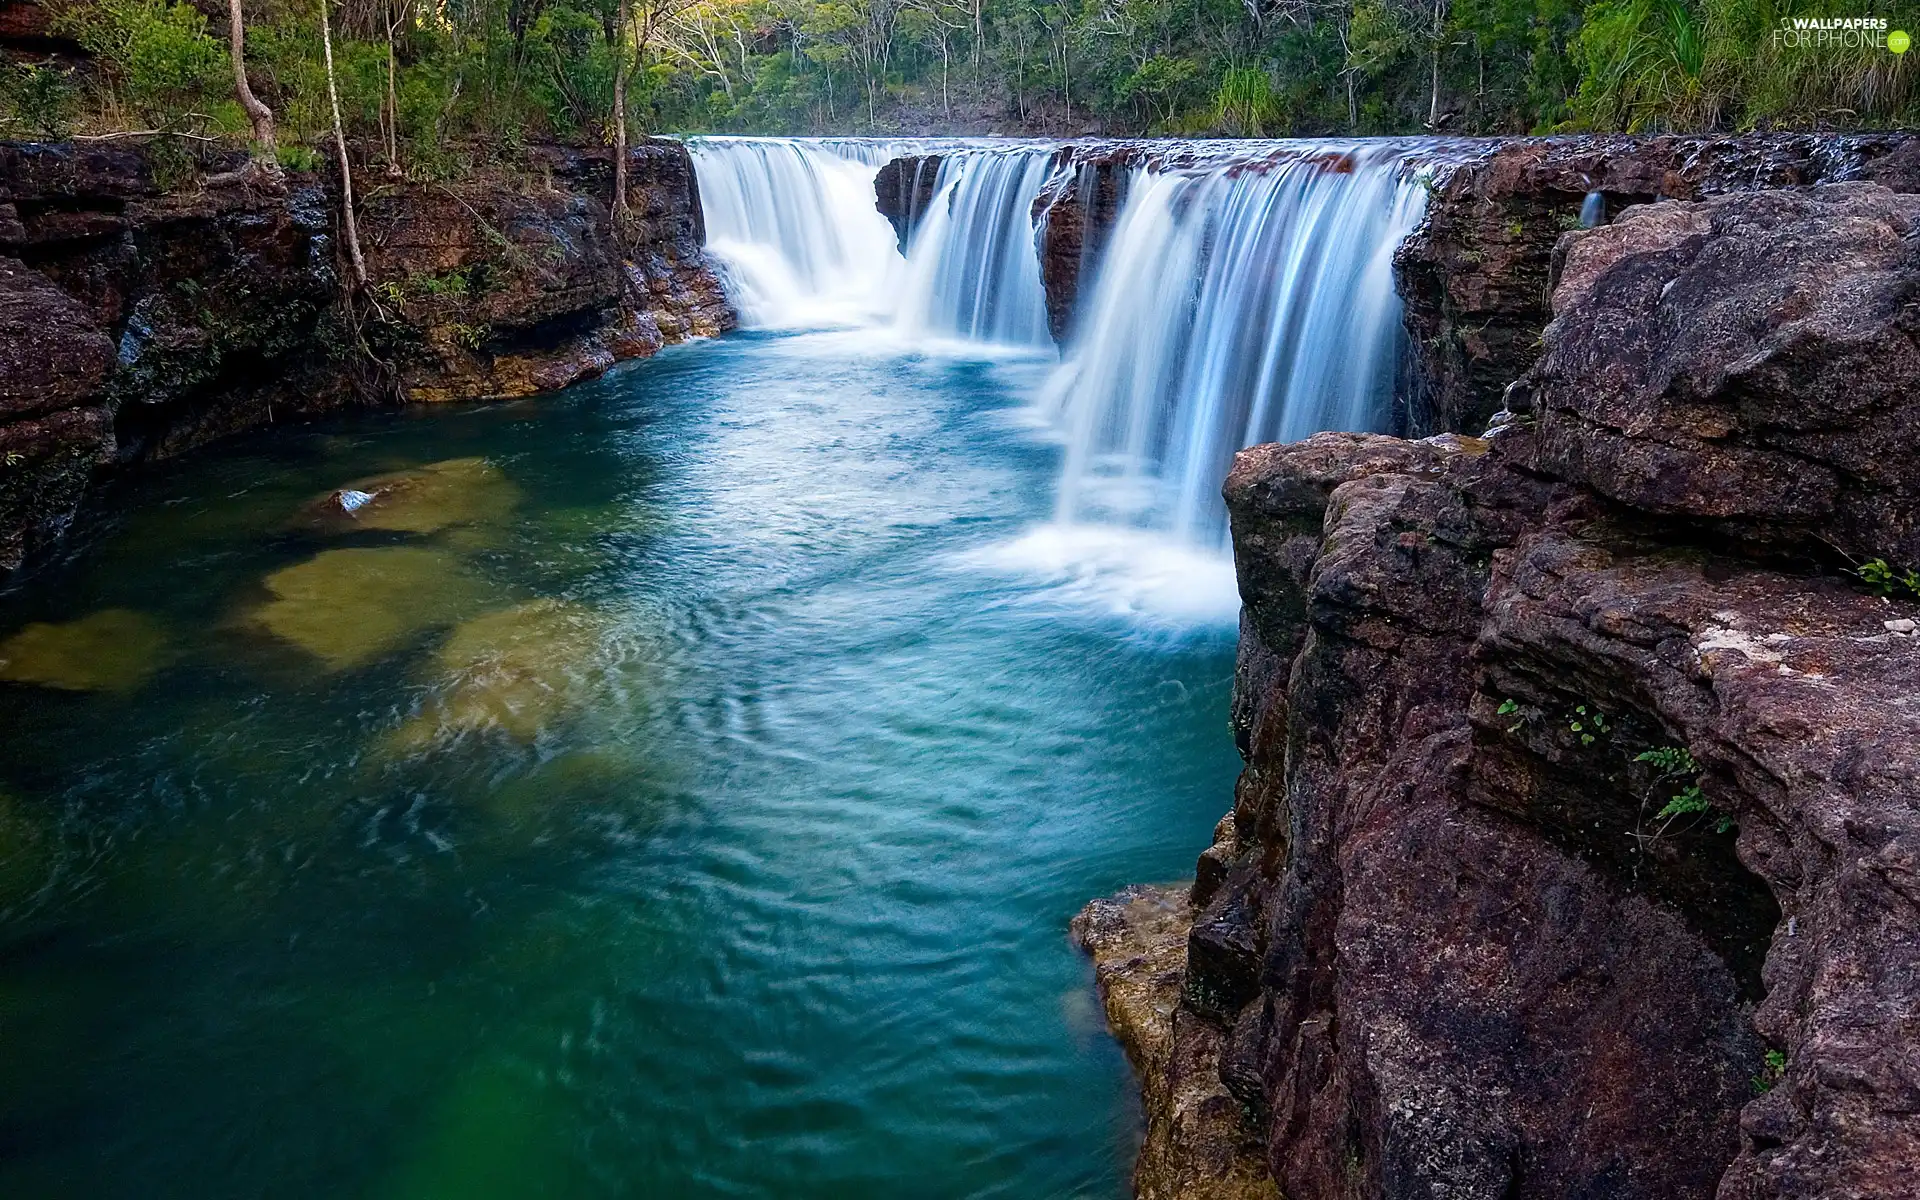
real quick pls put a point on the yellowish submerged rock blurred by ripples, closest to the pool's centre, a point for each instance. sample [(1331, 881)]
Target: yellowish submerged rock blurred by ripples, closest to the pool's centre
[(512, 673)]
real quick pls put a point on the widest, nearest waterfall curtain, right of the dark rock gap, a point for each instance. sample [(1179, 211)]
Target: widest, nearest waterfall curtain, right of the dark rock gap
[(1243, 299)]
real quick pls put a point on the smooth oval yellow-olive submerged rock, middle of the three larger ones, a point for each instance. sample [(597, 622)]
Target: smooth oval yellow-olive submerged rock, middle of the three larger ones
[(348, 608)]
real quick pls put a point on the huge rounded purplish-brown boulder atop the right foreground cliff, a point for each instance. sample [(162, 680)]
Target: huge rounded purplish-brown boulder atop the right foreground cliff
[(1750, 362)]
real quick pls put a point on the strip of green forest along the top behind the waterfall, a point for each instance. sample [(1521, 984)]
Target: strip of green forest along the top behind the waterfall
[(418, 78)]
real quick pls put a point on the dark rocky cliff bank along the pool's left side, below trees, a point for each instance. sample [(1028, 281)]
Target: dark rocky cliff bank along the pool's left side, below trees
[(143, 320)]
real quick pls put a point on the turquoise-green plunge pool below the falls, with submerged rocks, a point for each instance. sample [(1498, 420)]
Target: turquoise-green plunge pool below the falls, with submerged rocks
[(681, 792)]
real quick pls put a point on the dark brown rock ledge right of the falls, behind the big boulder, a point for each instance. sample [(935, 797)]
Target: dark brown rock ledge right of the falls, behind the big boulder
[(1476, 277)]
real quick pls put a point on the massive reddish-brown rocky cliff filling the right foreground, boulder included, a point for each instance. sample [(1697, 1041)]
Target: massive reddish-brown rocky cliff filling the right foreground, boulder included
[(1577, 848)]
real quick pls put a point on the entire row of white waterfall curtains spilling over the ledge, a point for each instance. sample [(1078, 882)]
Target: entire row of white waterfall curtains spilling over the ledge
[(1245, 293)]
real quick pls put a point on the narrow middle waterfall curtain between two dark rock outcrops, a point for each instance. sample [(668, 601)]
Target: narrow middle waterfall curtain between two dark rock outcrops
[(972, 268)]
